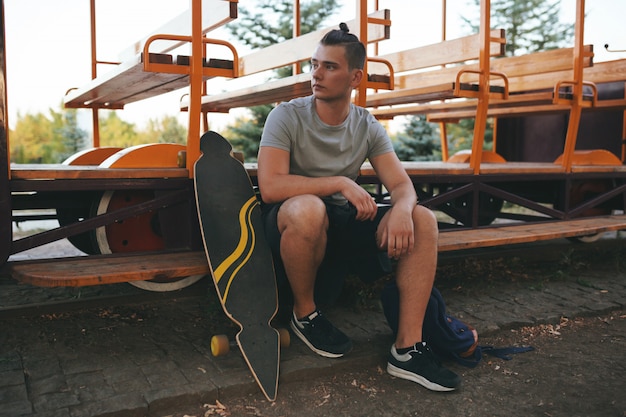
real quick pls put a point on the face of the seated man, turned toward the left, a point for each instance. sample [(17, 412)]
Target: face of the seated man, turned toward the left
[(331, 78)]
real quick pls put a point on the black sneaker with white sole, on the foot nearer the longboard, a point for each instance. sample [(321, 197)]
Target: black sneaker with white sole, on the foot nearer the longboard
[(320, 335)]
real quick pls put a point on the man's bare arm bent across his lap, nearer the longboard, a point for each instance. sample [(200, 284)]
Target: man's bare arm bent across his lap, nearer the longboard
[(277, 184)]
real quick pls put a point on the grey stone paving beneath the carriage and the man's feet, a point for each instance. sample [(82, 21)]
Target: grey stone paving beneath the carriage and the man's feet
[(149, 358)]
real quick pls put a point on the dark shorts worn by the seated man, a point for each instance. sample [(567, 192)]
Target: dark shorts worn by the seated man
[(351, 249)]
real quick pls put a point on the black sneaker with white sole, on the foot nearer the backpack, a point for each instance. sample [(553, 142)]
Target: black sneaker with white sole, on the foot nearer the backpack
[(420, 365)]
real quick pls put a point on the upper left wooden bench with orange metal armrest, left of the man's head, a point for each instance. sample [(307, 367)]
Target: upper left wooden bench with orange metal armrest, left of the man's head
[(150, 73)]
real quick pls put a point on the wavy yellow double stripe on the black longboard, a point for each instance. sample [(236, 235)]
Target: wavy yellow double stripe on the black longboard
[(247, 235)]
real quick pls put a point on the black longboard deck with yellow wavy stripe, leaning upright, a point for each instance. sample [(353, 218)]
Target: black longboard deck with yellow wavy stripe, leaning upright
[(238, 256)]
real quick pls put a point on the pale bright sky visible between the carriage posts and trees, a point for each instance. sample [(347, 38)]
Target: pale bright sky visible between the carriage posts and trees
[(48, 43)]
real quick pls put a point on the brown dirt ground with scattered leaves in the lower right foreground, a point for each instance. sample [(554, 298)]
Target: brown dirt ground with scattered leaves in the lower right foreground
[(577, 369)]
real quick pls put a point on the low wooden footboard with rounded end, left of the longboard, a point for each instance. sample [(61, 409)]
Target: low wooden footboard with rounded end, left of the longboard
[(109, 269)]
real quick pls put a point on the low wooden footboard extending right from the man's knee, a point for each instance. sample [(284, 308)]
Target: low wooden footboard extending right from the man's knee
[(526, 232)]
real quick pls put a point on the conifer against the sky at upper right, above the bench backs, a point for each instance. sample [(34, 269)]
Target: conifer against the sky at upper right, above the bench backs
[(531, 25)]
